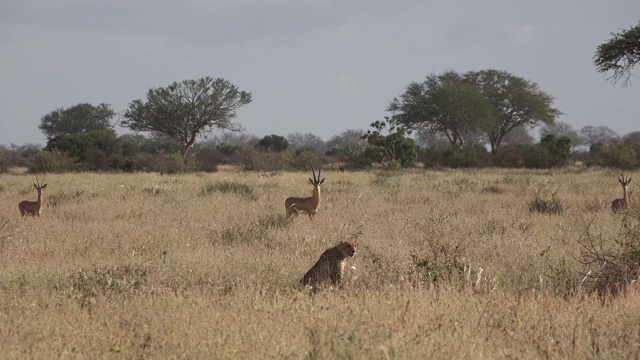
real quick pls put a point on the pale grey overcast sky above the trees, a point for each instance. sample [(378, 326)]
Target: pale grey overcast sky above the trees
[(318, 66)]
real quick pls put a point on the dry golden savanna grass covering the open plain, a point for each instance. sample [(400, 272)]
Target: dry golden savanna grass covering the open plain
[(450, 264)]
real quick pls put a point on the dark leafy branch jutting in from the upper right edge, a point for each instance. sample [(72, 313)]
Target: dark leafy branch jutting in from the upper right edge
[(619, 54)]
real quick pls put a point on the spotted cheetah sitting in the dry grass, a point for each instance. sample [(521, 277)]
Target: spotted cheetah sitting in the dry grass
[(330, 265)]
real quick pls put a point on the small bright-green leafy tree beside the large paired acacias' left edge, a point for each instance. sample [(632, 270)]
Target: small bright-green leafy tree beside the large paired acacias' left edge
[(395, 147)]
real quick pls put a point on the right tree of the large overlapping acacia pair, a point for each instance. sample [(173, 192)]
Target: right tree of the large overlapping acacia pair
[(516, 102)]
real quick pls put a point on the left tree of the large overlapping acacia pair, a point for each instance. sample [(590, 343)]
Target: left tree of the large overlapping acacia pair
[(443, 104)]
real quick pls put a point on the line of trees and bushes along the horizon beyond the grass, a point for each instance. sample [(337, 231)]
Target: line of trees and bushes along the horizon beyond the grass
[(474, 119)]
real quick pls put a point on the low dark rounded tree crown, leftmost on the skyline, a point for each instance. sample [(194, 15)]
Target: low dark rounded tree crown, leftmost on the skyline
[(77, 119)]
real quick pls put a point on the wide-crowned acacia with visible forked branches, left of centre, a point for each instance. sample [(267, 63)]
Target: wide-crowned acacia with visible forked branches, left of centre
[(188, 110)]
